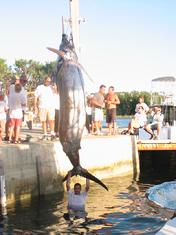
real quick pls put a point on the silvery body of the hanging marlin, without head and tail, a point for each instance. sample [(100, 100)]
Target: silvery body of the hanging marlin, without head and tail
[(72, 110)]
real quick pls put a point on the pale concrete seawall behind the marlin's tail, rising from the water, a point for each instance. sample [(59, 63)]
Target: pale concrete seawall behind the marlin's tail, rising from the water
[(38, 168)]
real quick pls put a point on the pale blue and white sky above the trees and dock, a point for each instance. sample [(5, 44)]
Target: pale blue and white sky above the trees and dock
[(124, 43)]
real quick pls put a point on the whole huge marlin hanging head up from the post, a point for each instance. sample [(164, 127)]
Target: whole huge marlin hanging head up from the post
[(70, 83)]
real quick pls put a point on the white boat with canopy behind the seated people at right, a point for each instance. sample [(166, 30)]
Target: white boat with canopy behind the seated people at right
[(163, 95)]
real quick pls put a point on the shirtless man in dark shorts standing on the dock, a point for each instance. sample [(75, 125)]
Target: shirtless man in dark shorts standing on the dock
[(111, 101)]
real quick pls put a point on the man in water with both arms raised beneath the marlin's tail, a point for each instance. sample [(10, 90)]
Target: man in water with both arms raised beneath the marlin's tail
[(76, 200)]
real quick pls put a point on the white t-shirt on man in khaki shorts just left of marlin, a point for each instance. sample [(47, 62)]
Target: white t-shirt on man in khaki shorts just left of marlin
[(45, 96)]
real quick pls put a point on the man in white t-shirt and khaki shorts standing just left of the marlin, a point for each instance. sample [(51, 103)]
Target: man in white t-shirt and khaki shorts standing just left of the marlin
[(44, 106)]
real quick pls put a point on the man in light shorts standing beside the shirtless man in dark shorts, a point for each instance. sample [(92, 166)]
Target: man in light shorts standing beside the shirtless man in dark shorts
[(98, 105)]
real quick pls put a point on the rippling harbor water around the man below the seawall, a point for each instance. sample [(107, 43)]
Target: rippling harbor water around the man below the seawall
[(122, 210)]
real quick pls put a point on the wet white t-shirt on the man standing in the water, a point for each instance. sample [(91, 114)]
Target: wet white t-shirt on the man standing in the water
[(76, 201)]
